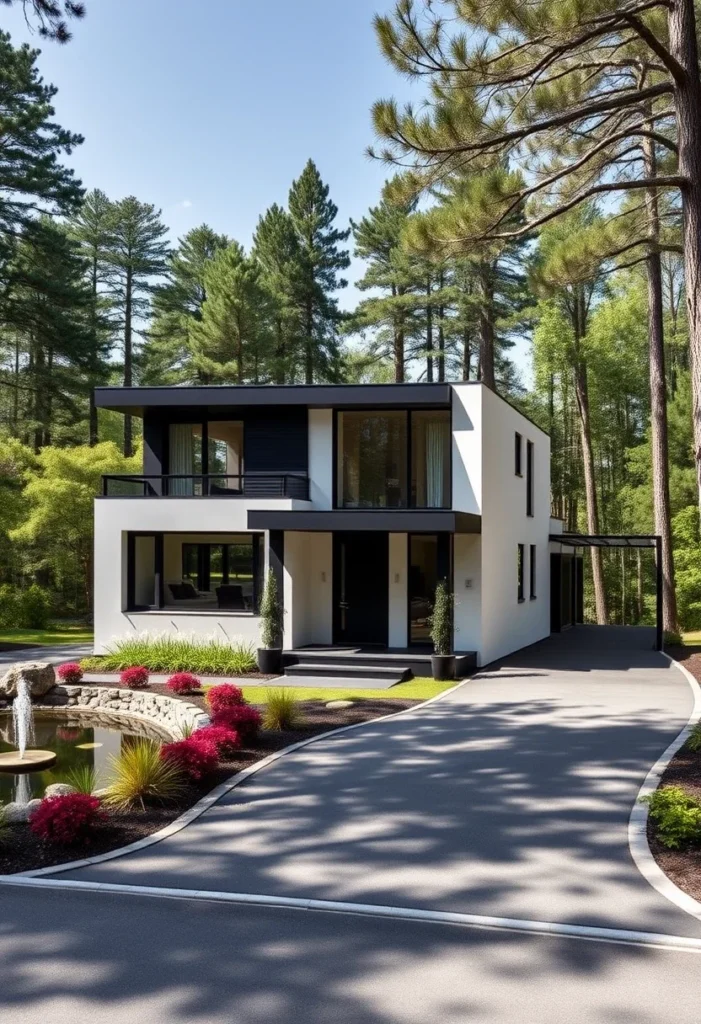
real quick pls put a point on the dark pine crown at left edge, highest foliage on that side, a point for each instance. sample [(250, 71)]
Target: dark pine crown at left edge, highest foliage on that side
[(32, 180)]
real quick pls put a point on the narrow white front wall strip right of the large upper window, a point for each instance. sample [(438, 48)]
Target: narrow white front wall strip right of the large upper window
[(467, 448)]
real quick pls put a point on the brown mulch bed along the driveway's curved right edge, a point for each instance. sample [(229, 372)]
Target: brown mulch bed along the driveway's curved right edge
[(682, 867)]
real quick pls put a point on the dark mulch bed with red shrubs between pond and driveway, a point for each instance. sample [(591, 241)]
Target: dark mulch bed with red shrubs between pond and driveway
[(22, 851)]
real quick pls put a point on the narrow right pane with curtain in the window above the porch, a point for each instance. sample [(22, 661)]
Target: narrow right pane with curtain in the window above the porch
[(431, 459)]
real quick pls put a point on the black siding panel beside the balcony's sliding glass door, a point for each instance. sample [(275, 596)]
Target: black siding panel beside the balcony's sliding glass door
[(276, 441)]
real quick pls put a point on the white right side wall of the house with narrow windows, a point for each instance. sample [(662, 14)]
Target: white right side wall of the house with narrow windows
[(508, 625)]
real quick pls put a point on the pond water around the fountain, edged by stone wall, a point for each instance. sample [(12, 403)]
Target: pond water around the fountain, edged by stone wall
[(77, 741)]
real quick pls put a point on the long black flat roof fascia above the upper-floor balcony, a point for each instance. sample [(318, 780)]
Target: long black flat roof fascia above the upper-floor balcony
[(135, 400)]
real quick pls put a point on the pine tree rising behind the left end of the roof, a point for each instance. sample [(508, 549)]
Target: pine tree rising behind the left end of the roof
[(178, 308)]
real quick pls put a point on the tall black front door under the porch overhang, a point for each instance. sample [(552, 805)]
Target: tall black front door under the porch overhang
[(361, 588)]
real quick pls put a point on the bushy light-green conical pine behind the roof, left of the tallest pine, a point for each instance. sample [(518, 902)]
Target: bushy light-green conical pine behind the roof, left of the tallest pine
[(229, 343)]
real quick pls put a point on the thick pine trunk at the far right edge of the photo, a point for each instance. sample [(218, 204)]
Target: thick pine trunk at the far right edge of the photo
[(684, 48)]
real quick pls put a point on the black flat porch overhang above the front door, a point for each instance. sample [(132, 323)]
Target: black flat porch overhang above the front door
[(350, 521)]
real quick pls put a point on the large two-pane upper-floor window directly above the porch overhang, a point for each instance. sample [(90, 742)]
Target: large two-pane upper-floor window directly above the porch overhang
[(395, 459)]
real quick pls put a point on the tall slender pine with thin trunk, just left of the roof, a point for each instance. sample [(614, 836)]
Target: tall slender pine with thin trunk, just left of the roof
[(91, 229)]
